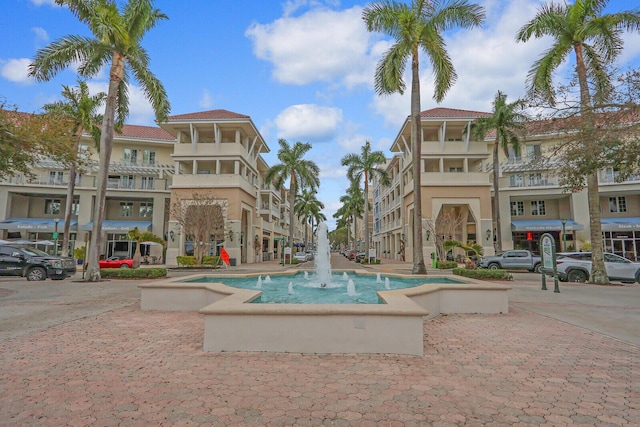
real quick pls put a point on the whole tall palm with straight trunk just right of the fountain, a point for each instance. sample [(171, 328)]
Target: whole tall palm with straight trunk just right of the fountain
[(418, 27)]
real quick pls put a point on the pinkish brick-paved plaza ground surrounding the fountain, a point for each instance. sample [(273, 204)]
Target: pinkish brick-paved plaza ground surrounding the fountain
[(79, 354)]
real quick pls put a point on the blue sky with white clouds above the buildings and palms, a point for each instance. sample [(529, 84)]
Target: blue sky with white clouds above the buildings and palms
[(303, 70)]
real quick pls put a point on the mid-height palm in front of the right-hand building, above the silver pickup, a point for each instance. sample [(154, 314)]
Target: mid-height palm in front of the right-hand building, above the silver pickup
[(508, 121)]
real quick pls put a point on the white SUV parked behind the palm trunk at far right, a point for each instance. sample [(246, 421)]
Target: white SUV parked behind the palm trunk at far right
[(576, 267)]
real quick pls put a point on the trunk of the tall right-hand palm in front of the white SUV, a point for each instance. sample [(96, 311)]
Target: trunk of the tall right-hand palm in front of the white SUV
[(598, 269)]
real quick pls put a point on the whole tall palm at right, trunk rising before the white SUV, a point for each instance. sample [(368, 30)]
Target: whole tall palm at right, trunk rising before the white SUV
[(596, 40)]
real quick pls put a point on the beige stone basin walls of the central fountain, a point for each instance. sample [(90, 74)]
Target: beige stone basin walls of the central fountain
[(397, 326)]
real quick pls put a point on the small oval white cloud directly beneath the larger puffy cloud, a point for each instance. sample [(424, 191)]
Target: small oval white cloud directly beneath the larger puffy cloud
[(308, 122)]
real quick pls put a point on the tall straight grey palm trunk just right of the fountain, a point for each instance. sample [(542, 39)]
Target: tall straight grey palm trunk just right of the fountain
[(416, 150)]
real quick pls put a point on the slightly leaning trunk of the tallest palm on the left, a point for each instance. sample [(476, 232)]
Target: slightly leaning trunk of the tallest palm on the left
[(106, 145)]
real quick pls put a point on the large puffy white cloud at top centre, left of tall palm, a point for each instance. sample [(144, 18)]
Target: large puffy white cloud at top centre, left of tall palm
[(320, 45)]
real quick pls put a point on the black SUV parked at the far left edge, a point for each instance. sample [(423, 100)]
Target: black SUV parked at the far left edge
[(34, 264)]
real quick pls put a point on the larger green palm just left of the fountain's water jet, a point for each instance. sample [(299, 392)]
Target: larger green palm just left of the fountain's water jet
[(301, 173)]
